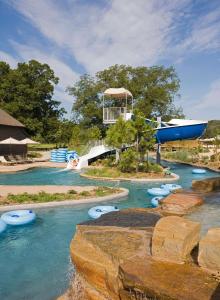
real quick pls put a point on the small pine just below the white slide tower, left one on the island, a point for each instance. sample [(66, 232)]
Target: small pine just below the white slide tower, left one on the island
[(120, 135)]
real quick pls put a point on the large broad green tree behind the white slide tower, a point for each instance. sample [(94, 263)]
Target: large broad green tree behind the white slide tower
[(153, 88)]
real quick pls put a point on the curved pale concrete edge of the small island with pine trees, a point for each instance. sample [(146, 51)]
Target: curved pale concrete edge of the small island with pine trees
[(164, 179)]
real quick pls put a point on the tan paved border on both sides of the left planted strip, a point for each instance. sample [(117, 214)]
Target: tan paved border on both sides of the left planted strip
[(61, 189)]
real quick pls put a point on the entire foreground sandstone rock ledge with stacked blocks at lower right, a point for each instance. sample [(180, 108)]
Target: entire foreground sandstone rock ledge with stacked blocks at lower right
[(137, 254)]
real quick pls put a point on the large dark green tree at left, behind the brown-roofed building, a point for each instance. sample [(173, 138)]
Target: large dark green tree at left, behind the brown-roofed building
[(26, 92)]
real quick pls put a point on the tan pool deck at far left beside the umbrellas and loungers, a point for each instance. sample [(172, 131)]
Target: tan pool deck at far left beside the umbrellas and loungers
[(27, 166)]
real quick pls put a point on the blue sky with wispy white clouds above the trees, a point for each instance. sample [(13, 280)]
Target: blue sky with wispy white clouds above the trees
[(85, 36)]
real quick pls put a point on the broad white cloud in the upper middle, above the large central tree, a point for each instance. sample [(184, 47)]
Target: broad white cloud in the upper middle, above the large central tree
[(125, 31)]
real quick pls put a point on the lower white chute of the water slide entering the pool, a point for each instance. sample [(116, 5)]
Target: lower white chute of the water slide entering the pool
[(93, 153)]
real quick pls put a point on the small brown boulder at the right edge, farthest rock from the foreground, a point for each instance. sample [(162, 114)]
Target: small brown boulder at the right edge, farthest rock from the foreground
[(206, 185)]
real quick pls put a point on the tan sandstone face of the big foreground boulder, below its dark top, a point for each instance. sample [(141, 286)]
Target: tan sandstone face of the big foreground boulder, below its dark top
[(97, 251)]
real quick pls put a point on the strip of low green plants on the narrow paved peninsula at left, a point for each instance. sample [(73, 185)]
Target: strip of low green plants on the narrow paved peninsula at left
[(46, 197)]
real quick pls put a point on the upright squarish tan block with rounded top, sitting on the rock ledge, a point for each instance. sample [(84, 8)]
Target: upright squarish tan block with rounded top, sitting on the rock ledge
[(174, 238)]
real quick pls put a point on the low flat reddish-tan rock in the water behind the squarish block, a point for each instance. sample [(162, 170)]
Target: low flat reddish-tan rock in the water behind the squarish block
[(180, 203)]
